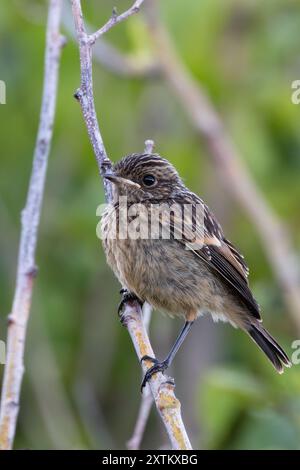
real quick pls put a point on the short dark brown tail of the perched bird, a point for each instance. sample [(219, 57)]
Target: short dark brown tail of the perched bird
[(269, 346)]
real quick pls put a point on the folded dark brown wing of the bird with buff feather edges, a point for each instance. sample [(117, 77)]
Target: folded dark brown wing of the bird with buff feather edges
[(204, 236)]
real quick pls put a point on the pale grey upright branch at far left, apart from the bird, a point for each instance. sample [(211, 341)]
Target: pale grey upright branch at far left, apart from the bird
[(26, 270)]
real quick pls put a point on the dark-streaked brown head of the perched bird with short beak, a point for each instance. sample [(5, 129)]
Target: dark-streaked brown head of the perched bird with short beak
[(142, 177)]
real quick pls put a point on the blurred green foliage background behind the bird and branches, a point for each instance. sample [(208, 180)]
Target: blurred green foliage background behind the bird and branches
[(81, 386)]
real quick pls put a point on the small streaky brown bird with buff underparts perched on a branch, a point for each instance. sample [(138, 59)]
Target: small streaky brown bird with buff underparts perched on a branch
[(193, 270)]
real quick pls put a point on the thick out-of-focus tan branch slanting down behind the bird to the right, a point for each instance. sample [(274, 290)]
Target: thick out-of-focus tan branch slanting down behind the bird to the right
[(206, 121)]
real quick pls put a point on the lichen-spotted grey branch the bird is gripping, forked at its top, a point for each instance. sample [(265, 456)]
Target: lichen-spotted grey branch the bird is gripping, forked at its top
[(162, 391)]
